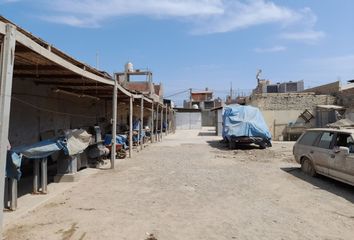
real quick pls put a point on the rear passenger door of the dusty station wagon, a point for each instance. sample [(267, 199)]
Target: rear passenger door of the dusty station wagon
[(322, 152)]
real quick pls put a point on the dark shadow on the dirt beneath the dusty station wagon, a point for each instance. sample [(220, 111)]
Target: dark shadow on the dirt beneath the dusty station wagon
[(340, 189)]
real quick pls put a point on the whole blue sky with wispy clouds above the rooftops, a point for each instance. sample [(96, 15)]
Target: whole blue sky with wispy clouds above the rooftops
[(200, 43)]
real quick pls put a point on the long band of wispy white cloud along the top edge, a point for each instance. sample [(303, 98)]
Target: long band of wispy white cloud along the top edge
[(204, 16)]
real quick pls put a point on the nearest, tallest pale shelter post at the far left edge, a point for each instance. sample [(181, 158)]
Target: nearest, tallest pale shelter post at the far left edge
[(7, 59)]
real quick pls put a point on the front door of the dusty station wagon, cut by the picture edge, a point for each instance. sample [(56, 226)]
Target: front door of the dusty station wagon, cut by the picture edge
[(342, 166)]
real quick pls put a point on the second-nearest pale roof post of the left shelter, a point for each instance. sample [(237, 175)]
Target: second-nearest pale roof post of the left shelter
[(114, 123)]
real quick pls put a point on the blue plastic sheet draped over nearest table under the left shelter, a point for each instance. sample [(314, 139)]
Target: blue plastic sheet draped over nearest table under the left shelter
[(41, 149)]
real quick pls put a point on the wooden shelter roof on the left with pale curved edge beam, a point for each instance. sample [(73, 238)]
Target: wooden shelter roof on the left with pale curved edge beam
[(41, 62)]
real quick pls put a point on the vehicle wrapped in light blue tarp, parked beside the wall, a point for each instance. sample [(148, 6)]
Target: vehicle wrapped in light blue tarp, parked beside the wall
[(245, 125)]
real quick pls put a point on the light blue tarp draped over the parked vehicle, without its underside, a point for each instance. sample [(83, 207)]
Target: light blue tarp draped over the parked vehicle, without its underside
[(240, 121)]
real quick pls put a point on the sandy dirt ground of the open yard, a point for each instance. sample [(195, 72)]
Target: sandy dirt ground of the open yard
[(191, 187)]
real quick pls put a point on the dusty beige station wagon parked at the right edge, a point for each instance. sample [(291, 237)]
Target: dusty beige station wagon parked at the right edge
[(328, 152)]
